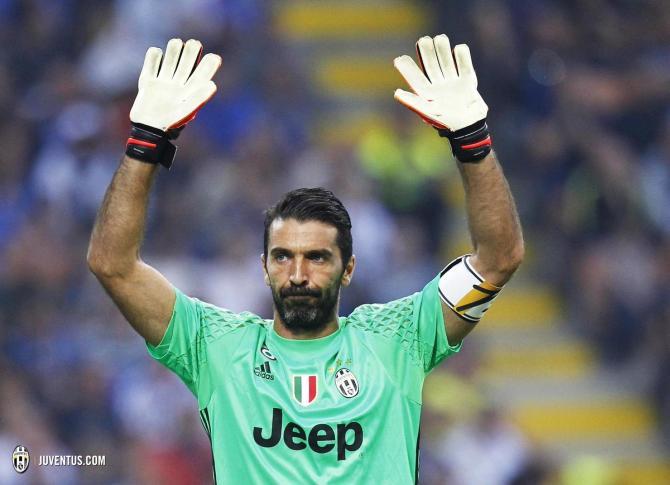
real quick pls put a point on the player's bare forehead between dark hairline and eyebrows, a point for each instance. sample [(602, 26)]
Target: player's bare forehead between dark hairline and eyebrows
[(302, 235)]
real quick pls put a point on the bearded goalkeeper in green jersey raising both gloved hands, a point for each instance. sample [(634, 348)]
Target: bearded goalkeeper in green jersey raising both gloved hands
[(309, 396)]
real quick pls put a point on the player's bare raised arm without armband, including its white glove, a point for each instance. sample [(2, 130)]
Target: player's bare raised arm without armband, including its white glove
[(171, 90)]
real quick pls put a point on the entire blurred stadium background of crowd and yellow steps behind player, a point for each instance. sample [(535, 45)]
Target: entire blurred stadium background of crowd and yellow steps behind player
[(568, 379)]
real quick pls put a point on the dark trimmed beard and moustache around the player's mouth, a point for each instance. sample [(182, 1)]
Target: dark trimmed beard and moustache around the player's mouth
[(306, 314)]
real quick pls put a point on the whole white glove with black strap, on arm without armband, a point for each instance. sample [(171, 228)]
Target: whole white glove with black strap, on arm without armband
[(170, 94)]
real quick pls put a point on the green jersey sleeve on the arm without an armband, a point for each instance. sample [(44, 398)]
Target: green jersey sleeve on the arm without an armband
[(178, 350)]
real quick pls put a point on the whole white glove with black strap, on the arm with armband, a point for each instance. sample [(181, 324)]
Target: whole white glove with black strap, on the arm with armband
[(445, 95)]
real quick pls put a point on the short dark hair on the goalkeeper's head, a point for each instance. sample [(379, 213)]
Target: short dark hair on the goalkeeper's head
[(313, 204)]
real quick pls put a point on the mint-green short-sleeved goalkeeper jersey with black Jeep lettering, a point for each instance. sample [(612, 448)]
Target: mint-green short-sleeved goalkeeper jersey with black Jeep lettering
[(339, 409)]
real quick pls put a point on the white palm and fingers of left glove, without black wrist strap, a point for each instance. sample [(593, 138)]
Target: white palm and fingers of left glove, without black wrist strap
[(171, 93)]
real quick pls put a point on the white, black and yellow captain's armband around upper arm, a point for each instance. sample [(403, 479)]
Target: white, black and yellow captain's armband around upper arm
[(465, 291)]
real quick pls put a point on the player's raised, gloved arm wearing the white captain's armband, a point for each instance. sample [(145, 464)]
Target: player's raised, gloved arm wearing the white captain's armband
[(445, 95)]
